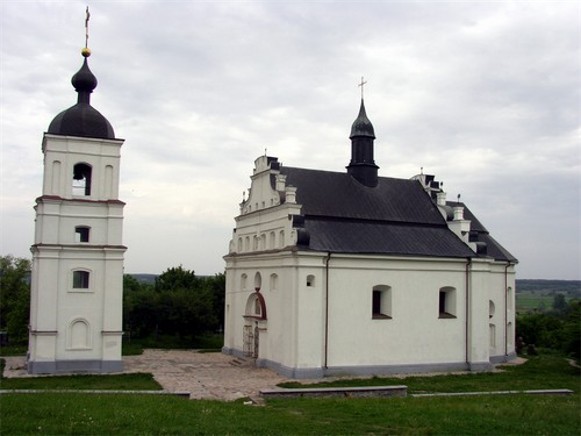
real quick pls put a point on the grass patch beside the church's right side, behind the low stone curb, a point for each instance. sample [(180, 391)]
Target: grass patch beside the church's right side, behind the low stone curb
[(532, 375)]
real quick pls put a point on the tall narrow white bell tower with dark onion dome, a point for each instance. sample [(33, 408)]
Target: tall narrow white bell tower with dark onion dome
[(77, 255)]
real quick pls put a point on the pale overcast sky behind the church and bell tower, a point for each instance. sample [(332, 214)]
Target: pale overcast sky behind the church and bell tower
[(485, 95)]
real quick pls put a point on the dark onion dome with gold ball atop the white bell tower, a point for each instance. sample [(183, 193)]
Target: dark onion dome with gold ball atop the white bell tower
[(82, 119)]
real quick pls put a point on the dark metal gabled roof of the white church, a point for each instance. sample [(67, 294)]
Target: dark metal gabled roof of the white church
[(397, 217)]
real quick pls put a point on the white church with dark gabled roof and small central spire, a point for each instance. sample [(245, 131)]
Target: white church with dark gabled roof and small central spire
[(350, 272)]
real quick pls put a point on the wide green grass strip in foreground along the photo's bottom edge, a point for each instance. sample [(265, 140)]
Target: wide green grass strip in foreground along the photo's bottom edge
[(143, 415)]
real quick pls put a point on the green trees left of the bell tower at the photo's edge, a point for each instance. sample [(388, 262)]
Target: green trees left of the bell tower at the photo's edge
[(15, 297)]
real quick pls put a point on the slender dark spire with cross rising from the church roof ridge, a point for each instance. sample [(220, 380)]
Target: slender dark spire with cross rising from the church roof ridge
[(362, 165)]
